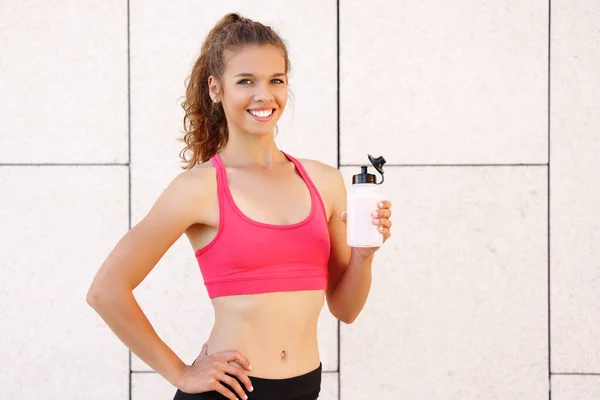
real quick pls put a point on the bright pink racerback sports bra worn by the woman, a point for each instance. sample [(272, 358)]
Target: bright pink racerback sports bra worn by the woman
[(249, 257)]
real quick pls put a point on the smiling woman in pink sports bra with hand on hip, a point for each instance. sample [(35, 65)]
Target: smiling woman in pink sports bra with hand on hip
[(268, 231)]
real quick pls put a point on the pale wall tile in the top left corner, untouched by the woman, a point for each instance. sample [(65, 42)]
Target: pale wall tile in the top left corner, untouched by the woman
[(63, 82)]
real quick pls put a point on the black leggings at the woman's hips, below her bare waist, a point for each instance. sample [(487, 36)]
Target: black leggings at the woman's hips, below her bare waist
[(301, 387)]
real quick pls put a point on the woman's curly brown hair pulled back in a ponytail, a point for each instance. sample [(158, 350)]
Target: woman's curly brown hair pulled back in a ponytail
[(204, 122)]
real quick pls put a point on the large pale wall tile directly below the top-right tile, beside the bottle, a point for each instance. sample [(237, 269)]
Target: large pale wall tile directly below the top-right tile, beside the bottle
[(459, 292)]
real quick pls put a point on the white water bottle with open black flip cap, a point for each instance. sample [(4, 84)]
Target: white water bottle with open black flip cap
[(362, 201)]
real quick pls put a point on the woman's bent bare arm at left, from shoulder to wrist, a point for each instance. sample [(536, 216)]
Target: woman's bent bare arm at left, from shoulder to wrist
[(134, 256)]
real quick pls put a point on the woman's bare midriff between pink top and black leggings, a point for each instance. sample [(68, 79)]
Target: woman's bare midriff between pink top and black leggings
[(276, 331)]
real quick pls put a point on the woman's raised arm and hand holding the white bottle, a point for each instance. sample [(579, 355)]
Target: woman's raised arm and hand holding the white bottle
[(350, 268)]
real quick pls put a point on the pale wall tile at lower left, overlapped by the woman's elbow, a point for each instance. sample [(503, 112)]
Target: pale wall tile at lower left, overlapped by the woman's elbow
[(58, 225)]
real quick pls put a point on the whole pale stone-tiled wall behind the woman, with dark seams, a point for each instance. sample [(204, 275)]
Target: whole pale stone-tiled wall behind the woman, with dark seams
[(487, 112)]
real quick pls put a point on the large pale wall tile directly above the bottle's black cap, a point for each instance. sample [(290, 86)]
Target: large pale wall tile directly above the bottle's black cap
[(444, 82)]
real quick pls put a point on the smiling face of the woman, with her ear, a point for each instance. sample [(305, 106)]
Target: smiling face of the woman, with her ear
[(253, 89)]
